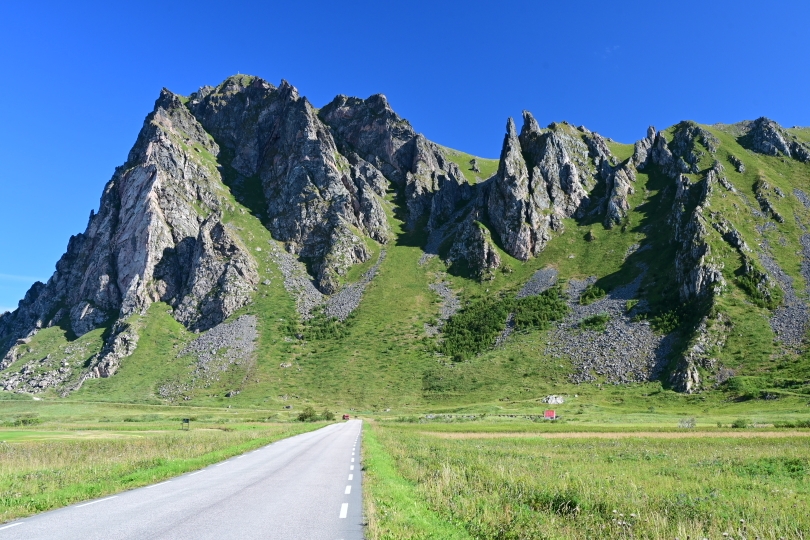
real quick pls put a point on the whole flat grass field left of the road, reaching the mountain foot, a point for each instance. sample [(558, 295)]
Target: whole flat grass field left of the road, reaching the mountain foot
[(54, 454)]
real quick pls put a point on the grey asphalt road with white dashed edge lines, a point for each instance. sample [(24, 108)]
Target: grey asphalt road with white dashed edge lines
[(305, 487)]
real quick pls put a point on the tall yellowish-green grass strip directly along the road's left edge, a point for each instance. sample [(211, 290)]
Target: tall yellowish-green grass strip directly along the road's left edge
[(40, 475)]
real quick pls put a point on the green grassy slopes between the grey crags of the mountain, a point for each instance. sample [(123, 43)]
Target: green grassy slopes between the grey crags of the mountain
[(381, 357)]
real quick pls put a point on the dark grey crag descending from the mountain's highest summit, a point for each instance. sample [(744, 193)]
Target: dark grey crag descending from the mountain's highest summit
[(315, 198)]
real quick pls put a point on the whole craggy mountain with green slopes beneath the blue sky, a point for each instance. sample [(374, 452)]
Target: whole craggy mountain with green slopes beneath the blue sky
[(255, 249)]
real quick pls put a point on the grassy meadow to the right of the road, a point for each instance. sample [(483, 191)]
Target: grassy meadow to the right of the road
[(490, 484)]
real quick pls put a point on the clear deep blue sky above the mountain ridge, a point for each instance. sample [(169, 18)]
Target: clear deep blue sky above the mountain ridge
[(79, 77)]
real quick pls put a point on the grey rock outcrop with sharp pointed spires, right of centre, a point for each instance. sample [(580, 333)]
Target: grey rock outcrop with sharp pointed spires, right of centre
[(546, 175)]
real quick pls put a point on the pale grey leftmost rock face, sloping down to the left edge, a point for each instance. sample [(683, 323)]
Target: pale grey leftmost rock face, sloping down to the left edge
[(138, 247)]
